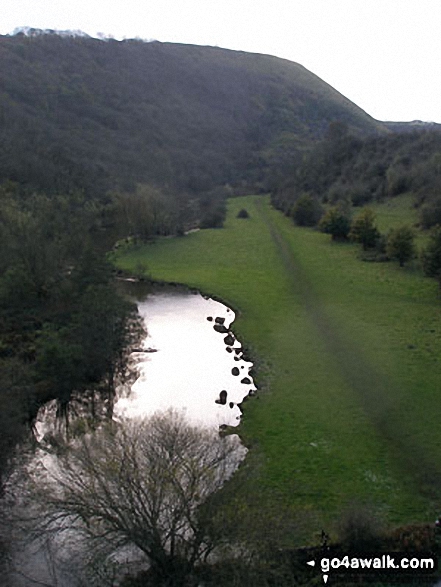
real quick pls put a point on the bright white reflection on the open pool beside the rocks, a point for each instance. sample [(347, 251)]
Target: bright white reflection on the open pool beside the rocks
[(187, 364)]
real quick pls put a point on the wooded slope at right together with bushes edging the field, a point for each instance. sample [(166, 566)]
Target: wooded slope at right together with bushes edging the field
[(344, 172)]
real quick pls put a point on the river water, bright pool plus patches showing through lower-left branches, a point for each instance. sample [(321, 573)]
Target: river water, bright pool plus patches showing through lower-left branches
[(189, 361)]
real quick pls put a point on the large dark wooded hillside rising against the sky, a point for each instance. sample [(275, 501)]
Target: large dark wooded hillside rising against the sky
[(78, 112)]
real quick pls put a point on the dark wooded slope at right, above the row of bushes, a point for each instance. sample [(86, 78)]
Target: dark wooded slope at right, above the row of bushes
[(347, 166)]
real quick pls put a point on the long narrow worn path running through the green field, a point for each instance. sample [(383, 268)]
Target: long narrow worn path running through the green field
[(378, 396)]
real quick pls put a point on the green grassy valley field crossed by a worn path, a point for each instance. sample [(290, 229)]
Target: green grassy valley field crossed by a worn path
[(347, 358)]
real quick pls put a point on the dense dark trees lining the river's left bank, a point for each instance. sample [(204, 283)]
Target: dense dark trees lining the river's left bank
[(64, 329)]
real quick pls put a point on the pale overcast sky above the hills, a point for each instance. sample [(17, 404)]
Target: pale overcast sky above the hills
[(384, 55)]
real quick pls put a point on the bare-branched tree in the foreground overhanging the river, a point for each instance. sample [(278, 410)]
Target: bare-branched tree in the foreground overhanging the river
[(140, 485)]
